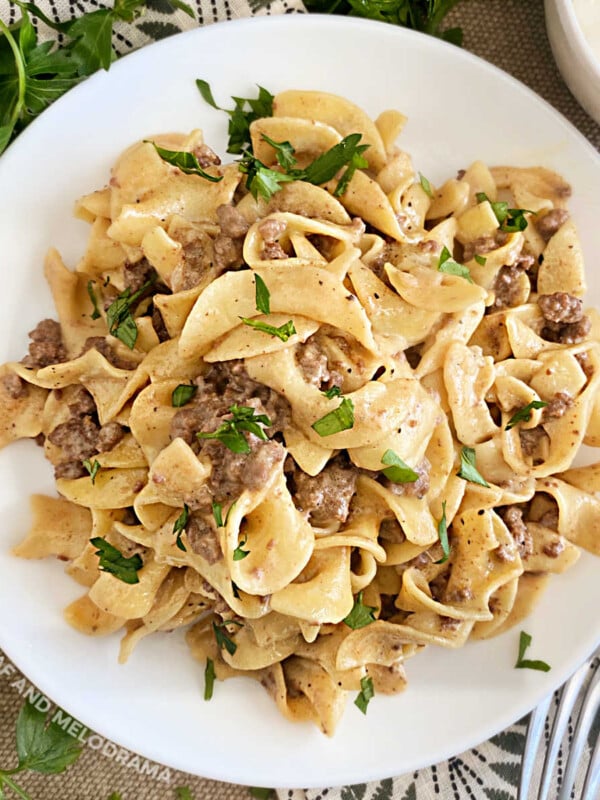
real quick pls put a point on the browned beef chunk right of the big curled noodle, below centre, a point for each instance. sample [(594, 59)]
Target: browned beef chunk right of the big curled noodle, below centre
[(326, 497)]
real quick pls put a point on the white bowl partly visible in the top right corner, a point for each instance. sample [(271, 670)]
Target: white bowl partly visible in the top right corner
[(576, 60)]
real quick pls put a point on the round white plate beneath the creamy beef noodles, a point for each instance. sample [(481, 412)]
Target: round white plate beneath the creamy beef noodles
[(459, 109)]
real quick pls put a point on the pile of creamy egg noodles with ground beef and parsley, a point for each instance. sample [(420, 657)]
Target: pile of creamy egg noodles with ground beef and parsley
[(311, 407)]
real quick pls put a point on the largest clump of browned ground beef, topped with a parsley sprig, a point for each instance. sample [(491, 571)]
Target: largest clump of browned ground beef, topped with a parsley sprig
[(223, 386)]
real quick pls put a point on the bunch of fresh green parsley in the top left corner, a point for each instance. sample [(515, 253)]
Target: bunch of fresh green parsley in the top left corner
[(34, 75)]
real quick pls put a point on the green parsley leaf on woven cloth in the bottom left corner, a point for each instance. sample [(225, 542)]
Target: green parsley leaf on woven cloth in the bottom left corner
[(42, 746)]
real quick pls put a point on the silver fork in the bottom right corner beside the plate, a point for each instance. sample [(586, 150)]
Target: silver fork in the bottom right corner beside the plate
[(537, 722)]
